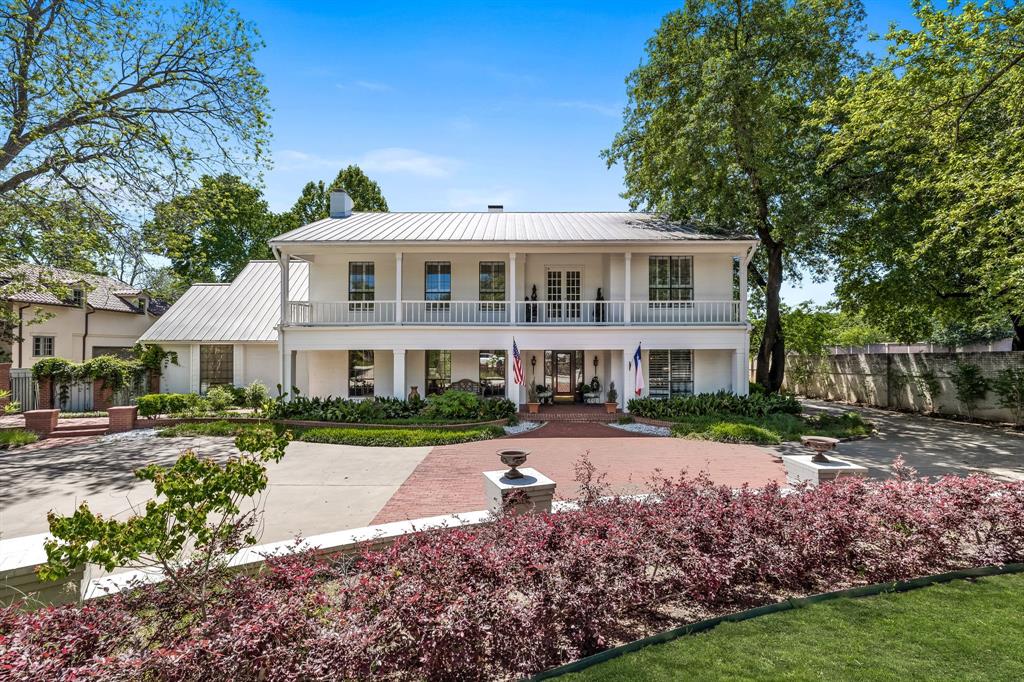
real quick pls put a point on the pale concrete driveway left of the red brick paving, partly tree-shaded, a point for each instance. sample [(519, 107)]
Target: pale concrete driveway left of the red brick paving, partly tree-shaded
[(315, 489)]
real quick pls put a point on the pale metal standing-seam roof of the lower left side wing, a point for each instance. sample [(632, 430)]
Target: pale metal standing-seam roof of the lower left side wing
[(246, 310)]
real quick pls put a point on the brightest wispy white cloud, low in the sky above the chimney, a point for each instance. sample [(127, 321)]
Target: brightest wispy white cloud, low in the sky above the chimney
[(392, 160)]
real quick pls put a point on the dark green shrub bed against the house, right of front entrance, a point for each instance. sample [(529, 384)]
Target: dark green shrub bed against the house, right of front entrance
[(757, 405)]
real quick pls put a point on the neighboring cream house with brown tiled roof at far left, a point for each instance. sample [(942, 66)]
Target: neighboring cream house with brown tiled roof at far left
[(101, 316)]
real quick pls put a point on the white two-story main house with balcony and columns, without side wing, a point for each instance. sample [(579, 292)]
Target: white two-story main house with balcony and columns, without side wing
[(401, 301)]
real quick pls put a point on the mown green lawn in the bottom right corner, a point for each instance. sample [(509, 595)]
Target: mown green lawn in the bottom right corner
[(959, 631)]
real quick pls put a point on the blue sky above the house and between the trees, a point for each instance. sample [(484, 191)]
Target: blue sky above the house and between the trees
[(454, 106)]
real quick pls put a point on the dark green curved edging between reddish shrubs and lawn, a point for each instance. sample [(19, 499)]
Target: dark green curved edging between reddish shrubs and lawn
[(796, 603)]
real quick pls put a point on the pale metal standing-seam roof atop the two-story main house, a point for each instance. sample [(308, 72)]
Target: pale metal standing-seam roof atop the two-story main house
[(500, 227)]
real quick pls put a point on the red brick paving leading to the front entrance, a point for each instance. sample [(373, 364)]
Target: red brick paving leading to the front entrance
[(449, 480)]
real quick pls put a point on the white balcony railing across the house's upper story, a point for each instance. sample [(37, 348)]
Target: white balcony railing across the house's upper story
[(550, 314)]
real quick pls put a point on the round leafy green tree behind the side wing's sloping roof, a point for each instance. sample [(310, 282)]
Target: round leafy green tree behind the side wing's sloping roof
[(212, 232)]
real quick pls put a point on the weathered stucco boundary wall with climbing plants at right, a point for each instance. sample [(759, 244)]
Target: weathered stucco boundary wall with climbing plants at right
[(900, 380)]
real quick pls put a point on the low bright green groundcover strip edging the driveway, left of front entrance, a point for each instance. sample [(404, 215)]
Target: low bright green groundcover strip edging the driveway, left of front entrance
[(348, 437)]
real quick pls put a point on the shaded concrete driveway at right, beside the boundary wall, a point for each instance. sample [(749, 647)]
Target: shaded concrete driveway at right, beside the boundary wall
[(933, 447)]
